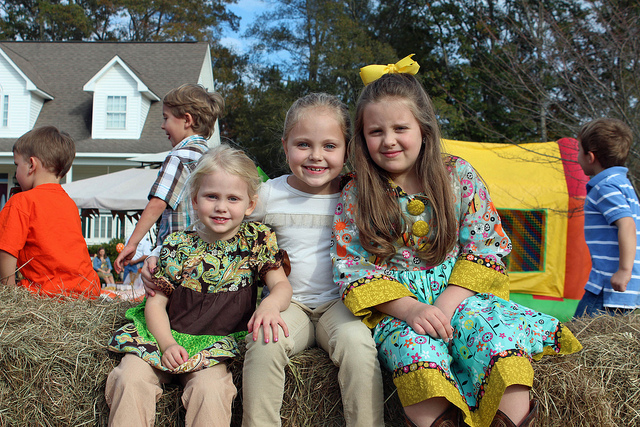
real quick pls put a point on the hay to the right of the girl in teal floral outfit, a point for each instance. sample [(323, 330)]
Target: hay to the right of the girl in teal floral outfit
[(599, 386)]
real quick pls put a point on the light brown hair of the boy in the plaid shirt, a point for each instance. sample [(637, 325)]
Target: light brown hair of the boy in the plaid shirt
[(203, 107)]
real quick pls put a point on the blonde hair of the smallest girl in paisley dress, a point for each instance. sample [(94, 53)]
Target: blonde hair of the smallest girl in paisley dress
[(228, 159)]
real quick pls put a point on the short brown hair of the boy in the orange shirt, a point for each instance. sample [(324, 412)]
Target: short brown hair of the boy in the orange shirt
[(54, 148)]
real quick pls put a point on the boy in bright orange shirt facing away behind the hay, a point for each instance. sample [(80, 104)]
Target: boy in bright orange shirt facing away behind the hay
[(40, 227)]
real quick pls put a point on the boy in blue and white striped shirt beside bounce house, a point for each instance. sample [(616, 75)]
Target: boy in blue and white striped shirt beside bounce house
[(611, 219)]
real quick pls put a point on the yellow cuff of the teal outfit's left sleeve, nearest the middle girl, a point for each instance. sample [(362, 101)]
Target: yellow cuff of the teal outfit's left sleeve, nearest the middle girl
[(363, 298)]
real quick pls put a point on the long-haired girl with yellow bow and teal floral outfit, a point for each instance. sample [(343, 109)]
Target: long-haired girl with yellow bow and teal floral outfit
[(418, 253)]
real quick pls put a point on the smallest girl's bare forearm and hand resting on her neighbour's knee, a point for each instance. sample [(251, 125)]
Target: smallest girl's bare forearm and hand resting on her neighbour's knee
[(267, 314)]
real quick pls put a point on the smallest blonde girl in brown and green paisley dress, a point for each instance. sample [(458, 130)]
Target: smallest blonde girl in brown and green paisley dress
[(207, 280)]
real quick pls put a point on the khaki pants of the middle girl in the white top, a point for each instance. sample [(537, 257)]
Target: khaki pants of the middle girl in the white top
[(350, 346)]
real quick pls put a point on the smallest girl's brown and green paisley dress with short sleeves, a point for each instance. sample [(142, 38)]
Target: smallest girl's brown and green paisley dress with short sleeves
[(212, 289)]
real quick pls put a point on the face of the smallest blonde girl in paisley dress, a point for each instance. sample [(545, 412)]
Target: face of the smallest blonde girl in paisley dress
[(222, 203)]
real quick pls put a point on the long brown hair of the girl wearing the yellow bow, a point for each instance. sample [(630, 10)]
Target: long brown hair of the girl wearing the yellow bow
[(378, 216)]
